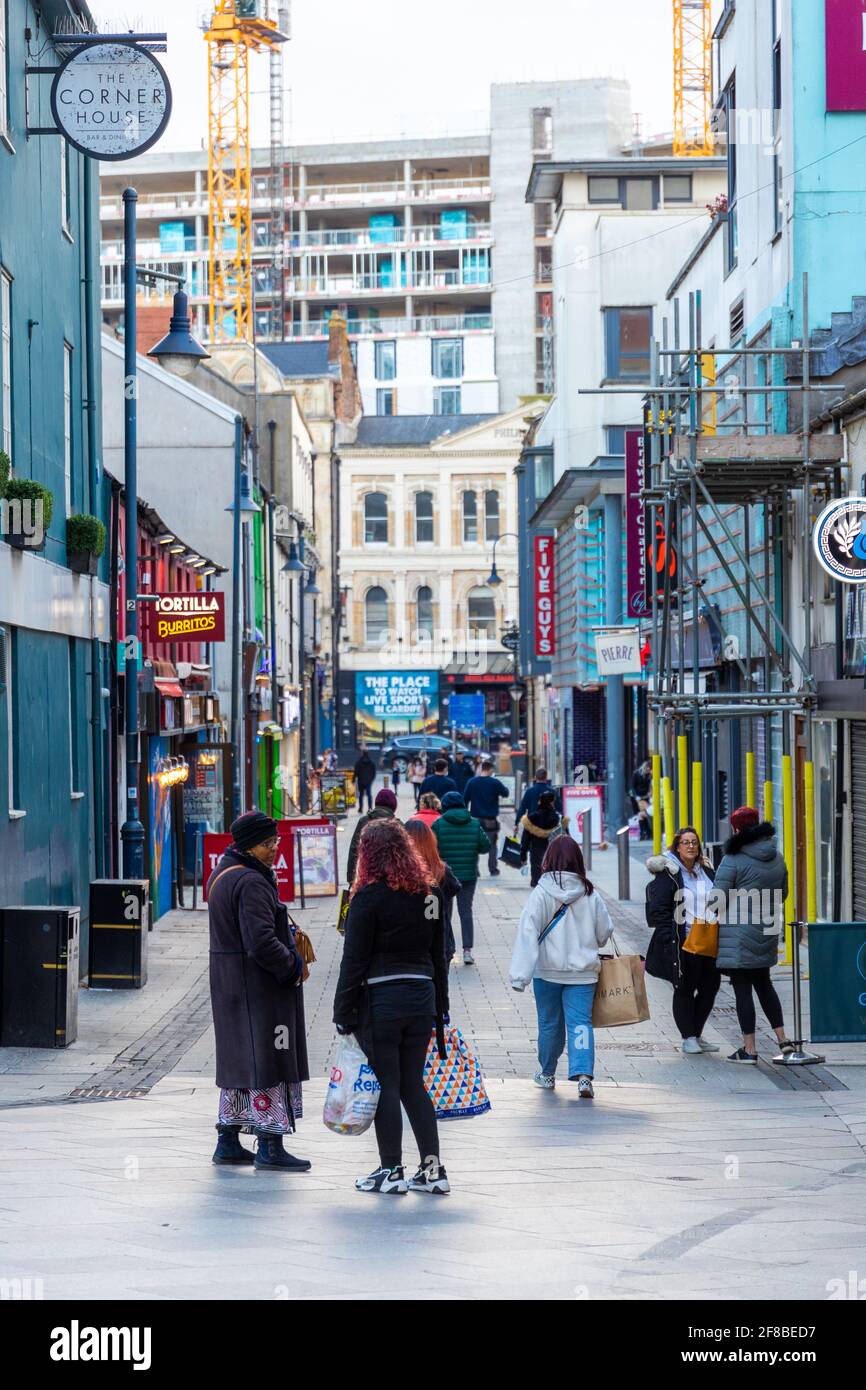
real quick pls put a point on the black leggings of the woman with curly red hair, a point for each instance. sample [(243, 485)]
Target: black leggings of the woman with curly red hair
[(400, 1052)]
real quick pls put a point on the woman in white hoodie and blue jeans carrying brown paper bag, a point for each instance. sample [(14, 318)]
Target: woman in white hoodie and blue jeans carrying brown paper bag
[(559, 935)]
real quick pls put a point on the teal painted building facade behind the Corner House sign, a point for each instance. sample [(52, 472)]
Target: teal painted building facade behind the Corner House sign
[(55, 625)]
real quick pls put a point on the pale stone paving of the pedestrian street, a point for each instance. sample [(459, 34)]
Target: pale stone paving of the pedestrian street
[(686, 1178)]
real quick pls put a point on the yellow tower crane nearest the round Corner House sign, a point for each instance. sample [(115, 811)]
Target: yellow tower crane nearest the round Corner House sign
[(237, 28)]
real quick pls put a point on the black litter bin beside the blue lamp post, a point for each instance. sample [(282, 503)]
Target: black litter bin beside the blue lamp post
[(119, 933)]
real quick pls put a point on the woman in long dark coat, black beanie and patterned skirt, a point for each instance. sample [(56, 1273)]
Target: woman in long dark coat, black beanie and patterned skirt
[(256, 995)]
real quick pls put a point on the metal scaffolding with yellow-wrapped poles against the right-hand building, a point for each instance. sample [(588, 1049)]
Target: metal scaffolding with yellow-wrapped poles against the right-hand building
[(707, 484)]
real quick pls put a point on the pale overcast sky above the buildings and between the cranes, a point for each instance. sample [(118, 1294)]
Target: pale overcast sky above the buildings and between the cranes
[(361, 69)]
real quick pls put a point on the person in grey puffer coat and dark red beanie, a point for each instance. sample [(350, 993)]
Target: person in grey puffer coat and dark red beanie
[(754, 881)]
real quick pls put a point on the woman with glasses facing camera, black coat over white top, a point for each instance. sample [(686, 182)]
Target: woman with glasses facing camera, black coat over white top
[(676, 899)]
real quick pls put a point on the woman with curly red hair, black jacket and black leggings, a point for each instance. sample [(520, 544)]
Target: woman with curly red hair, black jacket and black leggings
[(393, 989)]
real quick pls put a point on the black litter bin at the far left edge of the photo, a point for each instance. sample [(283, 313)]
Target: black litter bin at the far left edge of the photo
[(40, 974)]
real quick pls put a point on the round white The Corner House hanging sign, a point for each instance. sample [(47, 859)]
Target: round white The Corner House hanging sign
[(112, 101)]
